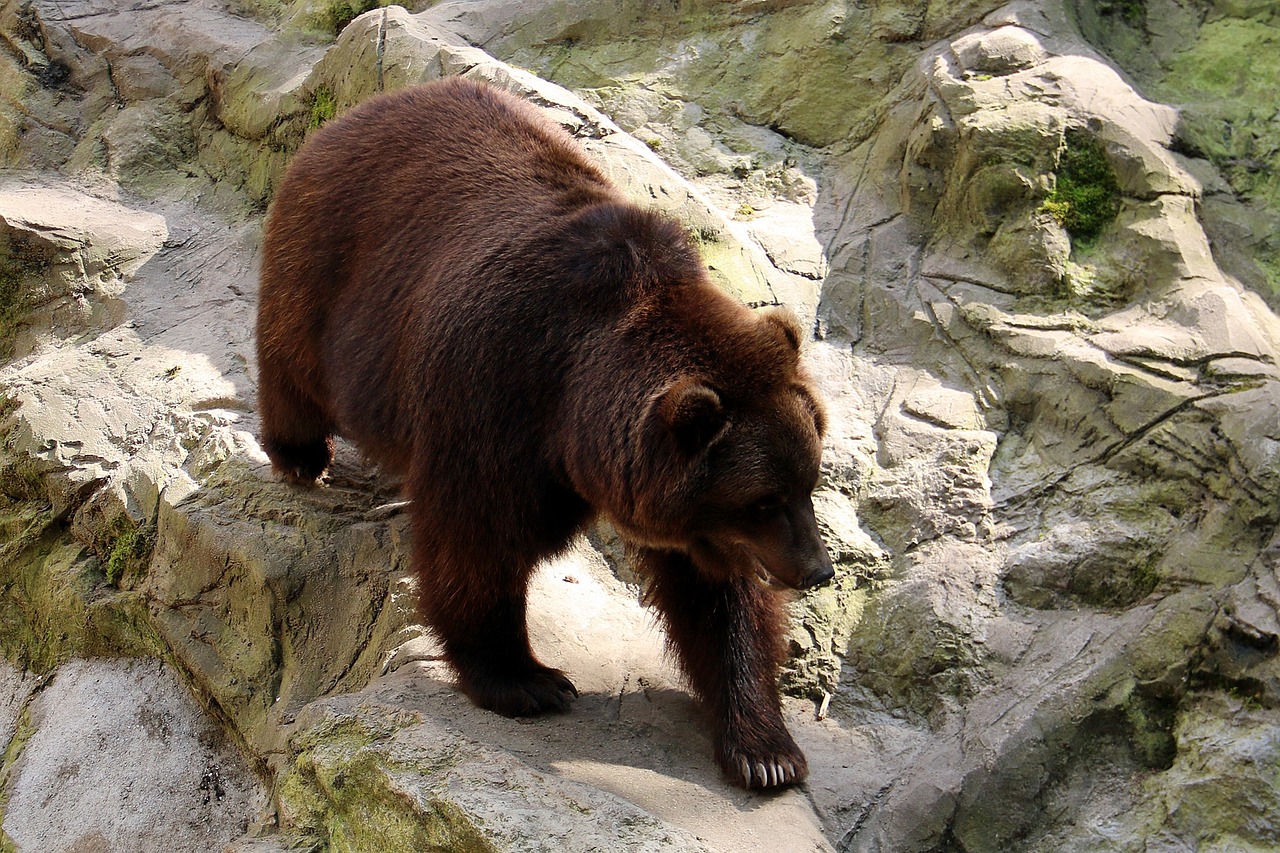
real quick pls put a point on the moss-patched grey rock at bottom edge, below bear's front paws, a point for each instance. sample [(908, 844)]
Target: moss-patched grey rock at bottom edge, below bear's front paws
[(495, 800)]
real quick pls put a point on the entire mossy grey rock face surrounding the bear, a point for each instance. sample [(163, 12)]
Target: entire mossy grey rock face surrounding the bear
[(1052, 482)]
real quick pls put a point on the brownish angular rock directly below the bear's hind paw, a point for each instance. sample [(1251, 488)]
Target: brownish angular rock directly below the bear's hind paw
[(269, 623)]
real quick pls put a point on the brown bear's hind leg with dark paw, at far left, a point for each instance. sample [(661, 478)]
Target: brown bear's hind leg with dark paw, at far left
[(296, 434)]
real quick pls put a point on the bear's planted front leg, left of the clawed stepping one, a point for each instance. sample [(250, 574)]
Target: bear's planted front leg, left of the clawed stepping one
[(478, 612)]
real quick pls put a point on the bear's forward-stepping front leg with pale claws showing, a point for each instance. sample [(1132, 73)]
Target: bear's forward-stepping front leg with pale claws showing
[(729, 638)]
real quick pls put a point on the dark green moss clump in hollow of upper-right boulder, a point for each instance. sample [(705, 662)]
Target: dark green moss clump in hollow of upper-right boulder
[(1086, 193)]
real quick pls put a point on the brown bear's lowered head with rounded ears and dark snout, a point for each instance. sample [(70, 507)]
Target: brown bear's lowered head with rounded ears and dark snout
[(743, 441)]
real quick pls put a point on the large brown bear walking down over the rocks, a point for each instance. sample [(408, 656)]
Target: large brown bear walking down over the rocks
[(451, 285)]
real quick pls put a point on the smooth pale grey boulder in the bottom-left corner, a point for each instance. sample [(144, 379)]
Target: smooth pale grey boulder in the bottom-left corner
[(117, 756)]
